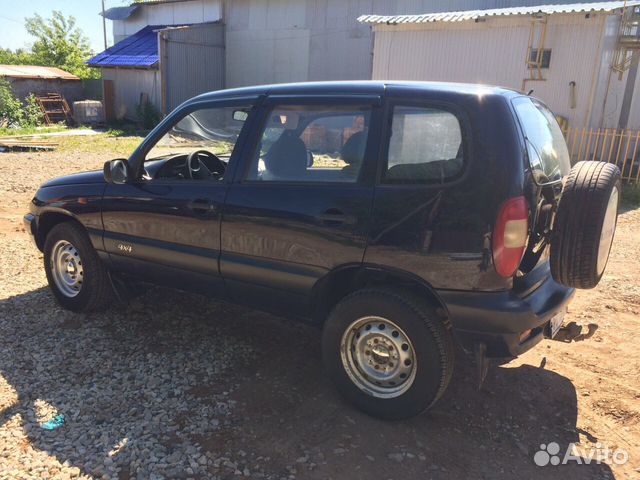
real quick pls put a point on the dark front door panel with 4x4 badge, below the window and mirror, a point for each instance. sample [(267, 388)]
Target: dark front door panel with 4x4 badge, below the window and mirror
[(153, 222)]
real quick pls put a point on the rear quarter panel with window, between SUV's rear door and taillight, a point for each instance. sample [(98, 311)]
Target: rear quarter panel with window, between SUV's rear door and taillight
[(429, 217)]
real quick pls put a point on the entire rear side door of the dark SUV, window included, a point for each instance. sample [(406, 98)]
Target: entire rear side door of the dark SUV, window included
[(300, 204)]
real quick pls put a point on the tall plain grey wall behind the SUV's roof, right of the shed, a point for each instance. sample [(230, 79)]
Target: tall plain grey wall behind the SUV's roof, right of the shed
[(274, 41)]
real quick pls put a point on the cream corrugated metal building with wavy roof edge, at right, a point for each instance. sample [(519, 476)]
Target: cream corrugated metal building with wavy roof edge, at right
[(586, 72)]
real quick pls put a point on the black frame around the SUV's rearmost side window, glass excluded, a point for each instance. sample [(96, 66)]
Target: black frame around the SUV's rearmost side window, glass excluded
[(385, 142)]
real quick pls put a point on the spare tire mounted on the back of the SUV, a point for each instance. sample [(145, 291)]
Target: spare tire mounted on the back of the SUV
[(584, 224)]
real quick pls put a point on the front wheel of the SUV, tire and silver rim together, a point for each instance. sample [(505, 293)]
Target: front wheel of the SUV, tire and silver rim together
[(76, 275)]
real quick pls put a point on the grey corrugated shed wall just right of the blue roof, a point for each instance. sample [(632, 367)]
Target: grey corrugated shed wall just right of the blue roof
[(194, 62)]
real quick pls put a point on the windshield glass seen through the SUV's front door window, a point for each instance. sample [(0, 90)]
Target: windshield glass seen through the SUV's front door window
[(213, 129)]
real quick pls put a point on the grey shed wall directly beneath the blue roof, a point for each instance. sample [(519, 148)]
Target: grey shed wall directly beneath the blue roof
[(129, 84)]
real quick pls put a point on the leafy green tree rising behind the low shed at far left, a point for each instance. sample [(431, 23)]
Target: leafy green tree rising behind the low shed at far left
[(59, 43)]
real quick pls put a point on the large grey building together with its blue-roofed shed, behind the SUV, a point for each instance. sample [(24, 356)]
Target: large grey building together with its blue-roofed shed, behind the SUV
[(230, 43)]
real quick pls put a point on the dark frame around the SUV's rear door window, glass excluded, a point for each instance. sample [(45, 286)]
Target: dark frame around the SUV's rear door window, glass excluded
[(272, 102)]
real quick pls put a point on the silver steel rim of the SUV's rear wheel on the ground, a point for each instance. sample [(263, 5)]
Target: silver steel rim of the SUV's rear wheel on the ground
[(378, 357)]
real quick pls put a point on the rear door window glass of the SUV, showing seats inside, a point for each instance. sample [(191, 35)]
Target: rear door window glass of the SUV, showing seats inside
[(312, 143)]
